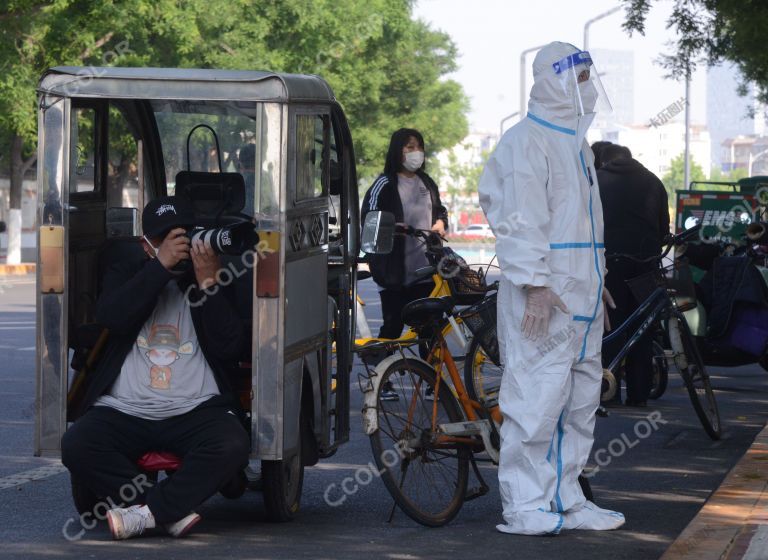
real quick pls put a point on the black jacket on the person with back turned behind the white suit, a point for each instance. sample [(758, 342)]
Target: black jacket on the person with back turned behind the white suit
[(635, 210)]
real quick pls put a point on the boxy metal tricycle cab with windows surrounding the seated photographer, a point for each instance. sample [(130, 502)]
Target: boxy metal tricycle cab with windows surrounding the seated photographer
[(111, 139)]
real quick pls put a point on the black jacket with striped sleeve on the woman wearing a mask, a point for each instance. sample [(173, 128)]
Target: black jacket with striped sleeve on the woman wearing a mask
[(388, 271)]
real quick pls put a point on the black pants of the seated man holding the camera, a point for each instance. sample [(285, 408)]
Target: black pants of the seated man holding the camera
[(102, 447)]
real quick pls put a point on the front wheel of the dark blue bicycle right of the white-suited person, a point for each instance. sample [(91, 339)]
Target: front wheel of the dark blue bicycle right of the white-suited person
[(695, 376)]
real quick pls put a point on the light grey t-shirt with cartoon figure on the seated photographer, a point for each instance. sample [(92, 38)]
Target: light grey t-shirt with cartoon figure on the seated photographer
[(165, 374)]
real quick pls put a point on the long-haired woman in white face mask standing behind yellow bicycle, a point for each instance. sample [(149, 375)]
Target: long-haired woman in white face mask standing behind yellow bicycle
[(412, 196)]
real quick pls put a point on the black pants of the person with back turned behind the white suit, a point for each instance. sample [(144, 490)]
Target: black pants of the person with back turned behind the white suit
[(638, 364)]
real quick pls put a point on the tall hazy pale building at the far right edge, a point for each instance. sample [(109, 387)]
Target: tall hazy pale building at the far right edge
[(733, 119)]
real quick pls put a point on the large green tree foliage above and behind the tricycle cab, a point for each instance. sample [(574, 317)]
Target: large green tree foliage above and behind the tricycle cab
[(386, 68)]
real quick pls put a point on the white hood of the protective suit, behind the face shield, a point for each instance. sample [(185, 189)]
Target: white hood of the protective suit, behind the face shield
[(549, 100)]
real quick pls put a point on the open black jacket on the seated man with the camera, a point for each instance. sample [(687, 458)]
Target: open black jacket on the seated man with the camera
[(130, 293)]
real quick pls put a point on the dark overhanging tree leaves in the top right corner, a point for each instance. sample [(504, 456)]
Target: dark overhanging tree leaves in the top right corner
[(712, 31)]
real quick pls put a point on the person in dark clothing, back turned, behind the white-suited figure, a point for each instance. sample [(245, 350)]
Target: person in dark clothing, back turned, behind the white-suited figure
[(636, 216)]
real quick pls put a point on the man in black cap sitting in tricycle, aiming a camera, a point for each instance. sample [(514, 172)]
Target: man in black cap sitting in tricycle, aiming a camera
[(161, 382)]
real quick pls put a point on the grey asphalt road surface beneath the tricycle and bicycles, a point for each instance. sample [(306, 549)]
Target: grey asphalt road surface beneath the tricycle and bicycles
[(659, 481)]
